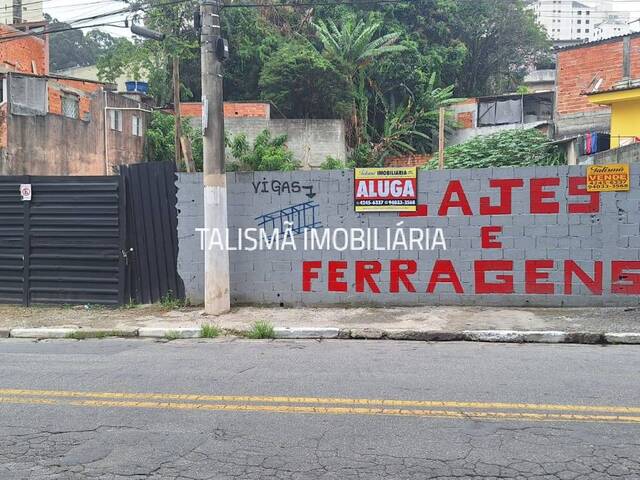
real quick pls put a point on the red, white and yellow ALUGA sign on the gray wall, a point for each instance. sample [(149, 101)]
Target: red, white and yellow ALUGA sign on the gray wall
[(386, 189)]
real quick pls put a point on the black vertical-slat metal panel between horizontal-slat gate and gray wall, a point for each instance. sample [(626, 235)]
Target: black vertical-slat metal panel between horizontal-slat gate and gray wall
[(152, 226)]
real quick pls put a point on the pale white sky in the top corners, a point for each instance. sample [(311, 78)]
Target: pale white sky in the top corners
[(69, 10)]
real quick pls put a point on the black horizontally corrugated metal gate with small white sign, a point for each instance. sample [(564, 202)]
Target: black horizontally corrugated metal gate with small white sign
[(65, 245)]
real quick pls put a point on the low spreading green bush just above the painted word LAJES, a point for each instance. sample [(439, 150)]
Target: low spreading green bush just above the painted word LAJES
[(511, 148)]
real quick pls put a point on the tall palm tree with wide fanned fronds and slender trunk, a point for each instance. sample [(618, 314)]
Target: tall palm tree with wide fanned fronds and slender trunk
[(351, 49)]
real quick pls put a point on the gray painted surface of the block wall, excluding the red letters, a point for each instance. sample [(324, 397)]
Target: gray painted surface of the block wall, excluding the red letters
[(275, 277)]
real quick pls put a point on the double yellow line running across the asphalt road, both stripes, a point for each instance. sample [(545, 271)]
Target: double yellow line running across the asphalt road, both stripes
[(328, 406)]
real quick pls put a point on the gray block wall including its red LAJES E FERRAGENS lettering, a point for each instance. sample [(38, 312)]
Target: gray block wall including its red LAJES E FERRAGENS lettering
[(544, 259)]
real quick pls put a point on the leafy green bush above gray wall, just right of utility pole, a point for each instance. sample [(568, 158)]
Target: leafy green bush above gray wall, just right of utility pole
[(266, 153)]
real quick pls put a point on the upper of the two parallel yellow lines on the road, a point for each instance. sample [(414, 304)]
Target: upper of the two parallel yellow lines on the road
[(320, 400)]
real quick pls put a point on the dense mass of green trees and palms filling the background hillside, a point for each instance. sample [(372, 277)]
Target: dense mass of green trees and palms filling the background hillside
[(383, 67)]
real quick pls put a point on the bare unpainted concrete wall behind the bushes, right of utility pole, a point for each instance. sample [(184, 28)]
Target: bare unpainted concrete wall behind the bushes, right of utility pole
[(310, 140)]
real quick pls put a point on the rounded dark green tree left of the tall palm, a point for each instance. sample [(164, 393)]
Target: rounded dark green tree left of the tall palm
[(303, 84)]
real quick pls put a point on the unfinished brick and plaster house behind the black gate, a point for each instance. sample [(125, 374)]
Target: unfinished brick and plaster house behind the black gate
[(55, 125)]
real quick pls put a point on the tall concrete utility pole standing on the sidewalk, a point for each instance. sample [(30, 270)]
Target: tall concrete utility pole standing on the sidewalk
[(216, 261)]
